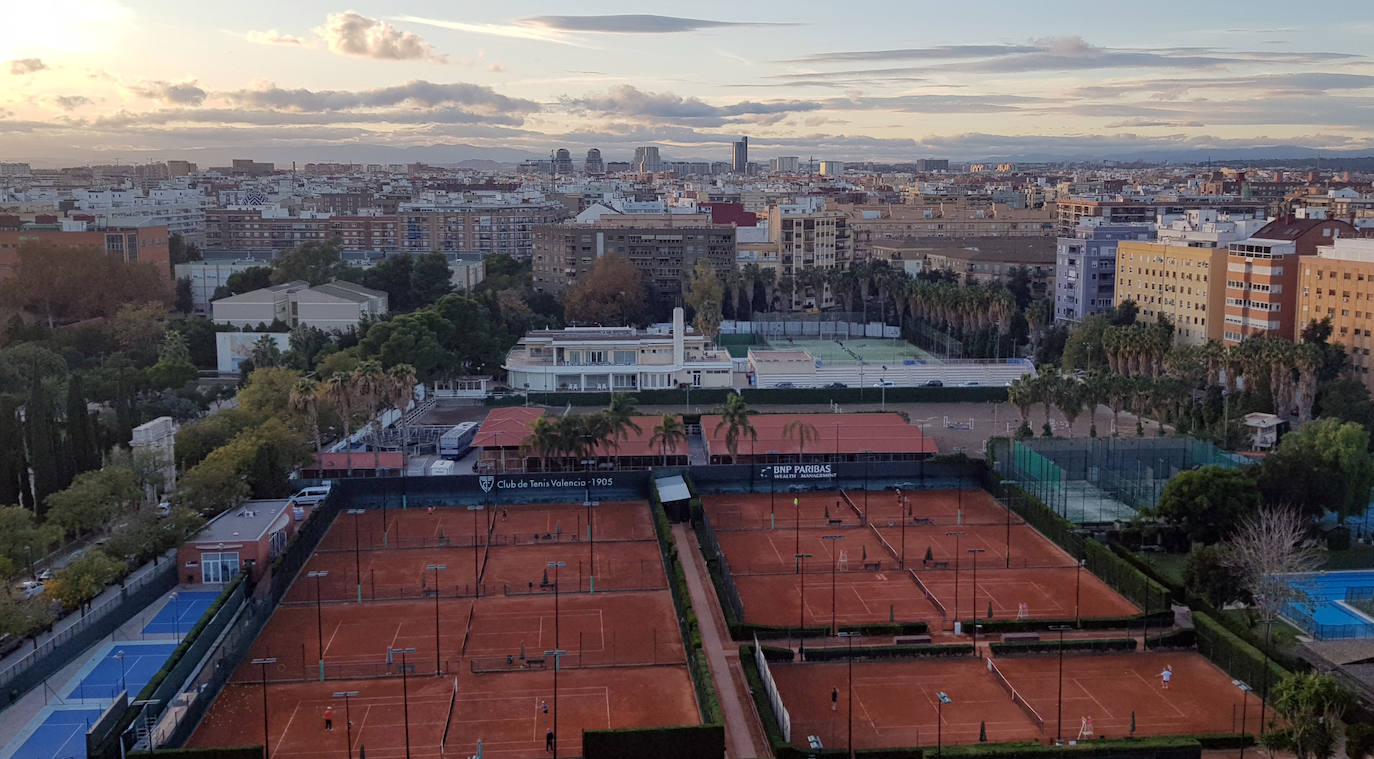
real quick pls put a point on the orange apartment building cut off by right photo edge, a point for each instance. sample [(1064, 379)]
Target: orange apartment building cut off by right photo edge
[(1339, 284)]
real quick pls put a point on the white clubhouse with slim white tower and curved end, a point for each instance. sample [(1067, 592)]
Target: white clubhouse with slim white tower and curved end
[(618, 360)]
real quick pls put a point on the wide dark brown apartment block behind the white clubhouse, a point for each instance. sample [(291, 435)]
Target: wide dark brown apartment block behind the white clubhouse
[(663, 247)]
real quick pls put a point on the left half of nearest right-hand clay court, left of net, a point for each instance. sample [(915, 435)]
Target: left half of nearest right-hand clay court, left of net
[(895, 703)]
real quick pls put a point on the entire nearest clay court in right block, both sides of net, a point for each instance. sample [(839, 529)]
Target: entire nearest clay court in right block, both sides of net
[(895, 702)]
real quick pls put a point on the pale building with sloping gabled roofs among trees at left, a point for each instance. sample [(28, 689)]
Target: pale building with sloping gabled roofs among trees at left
[(333, 307)]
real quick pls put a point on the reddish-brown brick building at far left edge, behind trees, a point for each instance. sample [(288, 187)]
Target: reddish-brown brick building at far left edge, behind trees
[(135, 245)]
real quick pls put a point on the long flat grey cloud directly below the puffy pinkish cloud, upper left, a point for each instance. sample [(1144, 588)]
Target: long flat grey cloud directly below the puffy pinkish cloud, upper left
[(417, 94)]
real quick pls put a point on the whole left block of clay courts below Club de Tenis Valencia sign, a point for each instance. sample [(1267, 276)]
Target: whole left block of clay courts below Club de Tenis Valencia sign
[(479, 666)]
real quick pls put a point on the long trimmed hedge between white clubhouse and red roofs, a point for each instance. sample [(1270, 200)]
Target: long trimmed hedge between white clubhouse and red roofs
[(770, 397)]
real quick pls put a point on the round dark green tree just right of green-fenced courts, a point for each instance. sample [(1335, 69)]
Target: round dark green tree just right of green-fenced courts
[(1207, 504)]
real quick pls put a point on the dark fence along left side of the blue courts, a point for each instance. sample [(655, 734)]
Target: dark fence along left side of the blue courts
[(63, 648)]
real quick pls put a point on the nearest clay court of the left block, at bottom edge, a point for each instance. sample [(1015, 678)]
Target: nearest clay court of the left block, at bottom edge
[(501, 710)]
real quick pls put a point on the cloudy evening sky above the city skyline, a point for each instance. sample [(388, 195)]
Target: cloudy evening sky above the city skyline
[(150, 80)]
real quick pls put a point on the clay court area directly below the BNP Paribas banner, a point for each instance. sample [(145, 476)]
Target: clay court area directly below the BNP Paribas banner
[(855, 574)]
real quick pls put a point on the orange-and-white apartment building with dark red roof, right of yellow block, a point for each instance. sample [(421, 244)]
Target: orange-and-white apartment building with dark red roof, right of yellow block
[(1262, 277)]
